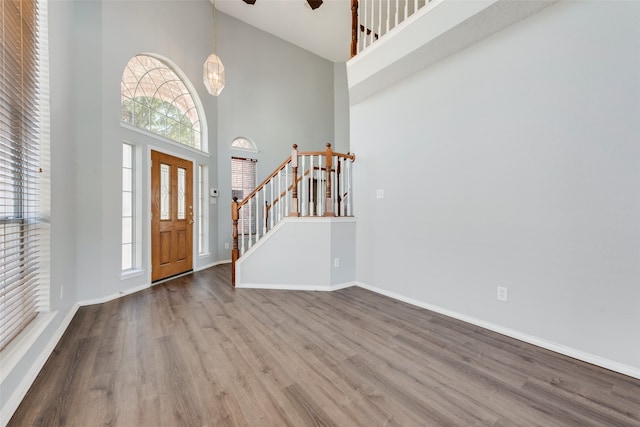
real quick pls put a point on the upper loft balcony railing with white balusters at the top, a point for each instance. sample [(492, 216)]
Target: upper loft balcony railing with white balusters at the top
[(371, 20)]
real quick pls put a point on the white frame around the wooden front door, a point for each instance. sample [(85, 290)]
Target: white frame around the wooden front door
[(148, 200)]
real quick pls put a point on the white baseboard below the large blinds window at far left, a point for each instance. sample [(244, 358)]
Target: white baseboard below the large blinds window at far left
[(12, 403)]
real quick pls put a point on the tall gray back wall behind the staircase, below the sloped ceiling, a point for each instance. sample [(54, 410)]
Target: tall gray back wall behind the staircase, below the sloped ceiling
[(276, 94)]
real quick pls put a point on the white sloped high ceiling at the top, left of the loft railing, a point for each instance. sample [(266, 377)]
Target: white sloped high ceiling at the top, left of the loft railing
[(325, 31)]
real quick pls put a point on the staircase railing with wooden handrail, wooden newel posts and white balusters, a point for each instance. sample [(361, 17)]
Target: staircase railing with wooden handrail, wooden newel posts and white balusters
[(306, 184)]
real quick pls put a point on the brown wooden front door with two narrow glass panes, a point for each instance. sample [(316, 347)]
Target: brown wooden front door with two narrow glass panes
[(171, 216)]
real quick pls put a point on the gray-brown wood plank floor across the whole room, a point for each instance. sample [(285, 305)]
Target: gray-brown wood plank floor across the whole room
[(194, 352)]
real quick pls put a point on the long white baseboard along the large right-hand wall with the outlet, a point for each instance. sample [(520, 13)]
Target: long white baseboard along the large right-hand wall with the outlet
[(555, 347)]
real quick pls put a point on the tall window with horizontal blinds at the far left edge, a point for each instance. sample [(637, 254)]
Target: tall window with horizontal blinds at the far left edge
[(20, 167)]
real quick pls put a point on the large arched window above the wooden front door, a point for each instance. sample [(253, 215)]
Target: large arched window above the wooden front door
[(156, 99)]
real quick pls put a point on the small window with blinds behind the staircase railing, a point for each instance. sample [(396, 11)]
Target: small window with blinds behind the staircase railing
[(243, 182)]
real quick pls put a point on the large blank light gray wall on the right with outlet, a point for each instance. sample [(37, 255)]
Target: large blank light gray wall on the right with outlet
[(514, 163)]
